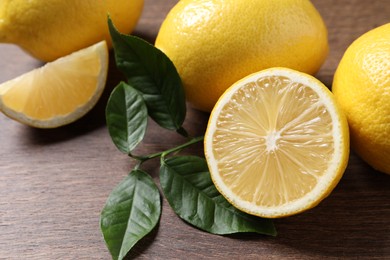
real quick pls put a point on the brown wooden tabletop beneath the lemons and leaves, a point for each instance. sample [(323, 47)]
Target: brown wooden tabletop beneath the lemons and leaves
[(54, 183)]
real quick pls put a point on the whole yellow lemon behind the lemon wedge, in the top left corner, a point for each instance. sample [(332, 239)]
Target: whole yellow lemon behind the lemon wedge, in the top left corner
[(49, 29)]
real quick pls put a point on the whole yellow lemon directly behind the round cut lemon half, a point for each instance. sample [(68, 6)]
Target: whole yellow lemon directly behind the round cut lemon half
[(214, 43)]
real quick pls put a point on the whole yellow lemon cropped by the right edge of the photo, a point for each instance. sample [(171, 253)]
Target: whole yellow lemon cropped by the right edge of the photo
[(362, 87)]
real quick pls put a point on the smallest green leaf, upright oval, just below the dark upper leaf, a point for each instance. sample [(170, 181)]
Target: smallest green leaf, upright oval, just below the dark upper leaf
[(127, 117)]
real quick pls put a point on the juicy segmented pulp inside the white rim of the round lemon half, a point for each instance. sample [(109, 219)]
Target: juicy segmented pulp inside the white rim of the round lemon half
[(276, 135)]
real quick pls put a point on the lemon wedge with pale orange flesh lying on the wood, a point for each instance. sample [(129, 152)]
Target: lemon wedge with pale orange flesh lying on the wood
[(59, 92)]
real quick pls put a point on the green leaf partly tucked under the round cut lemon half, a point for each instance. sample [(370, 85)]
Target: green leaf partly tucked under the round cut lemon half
[(188, 187)]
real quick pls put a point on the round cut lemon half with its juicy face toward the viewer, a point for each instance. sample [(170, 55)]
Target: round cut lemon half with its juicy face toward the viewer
[(276, 143)]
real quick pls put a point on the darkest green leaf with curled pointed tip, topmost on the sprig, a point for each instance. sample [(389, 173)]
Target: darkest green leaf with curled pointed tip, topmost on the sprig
[(153, 74)]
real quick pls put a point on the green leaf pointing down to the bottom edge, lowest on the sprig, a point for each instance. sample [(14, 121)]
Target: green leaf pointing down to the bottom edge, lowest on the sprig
[(132, 210)]
